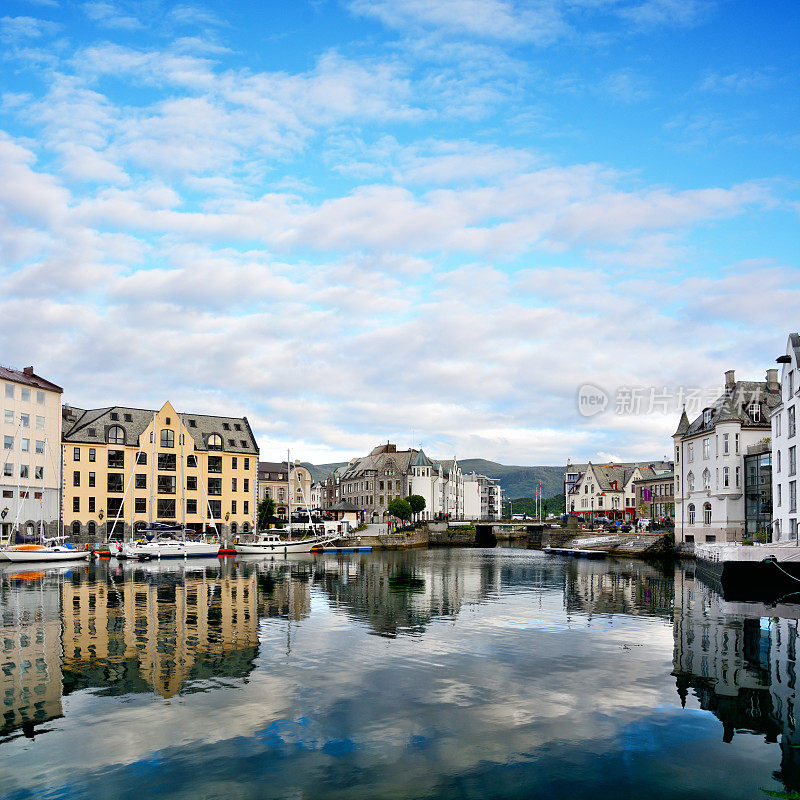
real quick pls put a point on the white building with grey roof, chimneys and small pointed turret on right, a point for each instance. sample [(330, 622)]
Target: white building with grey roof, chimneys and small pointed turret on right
[(709, 460)]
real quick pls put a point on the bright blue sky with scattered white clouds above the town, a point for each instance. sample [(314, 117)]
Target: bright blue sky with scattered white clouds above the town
[(443, 223)]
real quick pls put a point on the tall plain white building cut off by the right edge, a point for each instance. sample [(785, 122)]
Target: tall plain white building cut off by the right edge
[(784, 445)]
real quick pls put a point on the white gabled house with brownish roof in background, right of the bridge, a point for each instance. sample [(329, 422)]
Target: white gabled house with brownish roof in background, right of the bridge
[(608, 490)]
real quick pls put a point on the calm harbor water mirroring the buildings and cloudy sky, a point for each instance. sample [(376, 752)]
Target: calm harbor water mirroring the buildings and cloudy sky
[(465, 673)]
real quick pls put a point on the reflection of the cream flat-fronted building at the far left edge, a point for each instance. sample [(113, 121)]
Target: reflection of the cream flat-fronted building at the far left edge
[(30, 637)]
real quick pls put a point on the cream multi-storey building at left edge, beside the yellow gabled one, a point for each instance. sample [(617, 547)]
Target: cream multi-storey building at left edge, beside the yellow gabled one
[(30, 481)]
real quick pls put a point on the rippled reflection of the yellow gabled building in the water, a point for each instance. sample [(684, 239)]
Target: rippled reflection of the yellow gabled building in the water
[(158, 629)]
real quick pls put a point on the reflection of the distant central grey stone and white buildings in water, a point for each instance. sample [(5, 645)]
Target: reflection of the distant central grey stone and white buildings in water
[(402, 593)]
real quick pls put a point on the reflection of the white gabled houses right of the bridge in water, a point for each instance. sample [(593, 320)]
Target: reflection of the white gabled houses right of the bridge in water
[(608, 588)]
